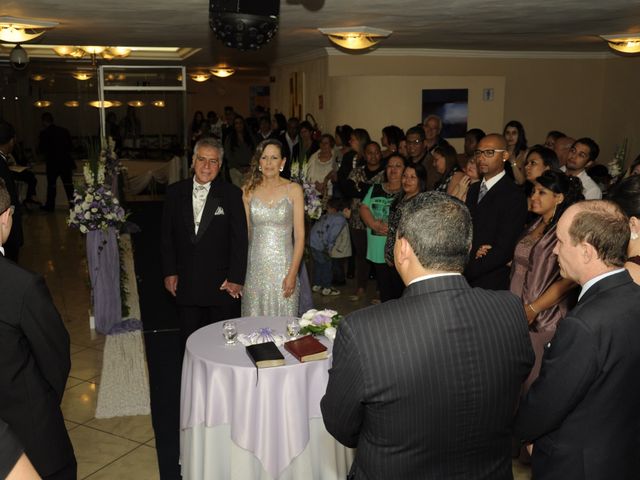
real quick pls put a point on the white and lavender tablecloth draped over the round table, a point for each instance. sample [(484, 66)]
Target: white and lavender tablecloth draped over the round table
[(272, 415)]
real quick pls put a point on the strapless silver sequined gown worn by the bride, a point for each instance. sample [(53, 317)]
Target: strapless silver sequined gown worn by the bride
[(270, 252)]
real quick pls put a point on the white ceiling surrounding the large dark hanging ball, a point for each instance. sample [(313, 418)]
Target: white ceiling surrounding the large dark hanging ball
[(562, 25)]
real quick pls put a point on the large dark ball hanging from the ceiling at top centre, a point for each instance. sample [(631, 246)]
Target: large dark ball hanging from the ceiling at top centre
[(244, 24)]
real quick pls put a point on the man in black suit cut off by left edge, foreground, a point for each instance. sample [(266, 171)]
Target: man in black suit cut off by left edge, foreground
[(34, 363)]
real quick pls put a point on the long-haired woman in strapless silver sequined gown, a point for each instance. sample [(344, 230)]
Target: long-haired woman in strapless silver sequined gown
[(275, 215)]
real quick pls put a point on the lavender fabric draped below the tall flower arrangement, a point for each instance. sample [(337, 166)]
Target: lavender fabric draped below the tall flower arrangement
[(103, 259)]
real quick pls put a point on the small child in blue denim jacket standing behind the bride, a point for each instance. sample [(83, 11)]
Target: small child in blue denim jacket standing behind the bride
[(330, 228)]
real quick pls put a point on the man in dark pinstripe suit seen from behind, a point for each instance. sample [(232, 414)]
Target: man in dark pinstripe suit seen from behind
[(426, 386)]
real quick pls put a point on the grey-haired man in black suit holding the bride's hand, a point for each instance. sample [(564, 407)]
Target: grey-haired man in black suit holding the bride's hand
[(204, 242)]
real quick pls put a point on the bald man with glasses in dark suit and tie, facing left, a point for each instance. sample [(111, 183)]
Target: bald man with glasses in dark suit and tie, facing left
[(499, 210)]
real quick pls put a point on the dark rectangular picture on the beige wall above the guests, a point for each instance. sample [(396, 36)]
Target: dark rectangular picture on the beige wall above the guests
[(451, 105)]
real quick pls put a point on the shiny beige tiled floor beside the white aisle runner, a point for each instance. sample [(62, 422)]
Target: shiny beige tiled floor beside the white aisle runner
[(120, 448)]
